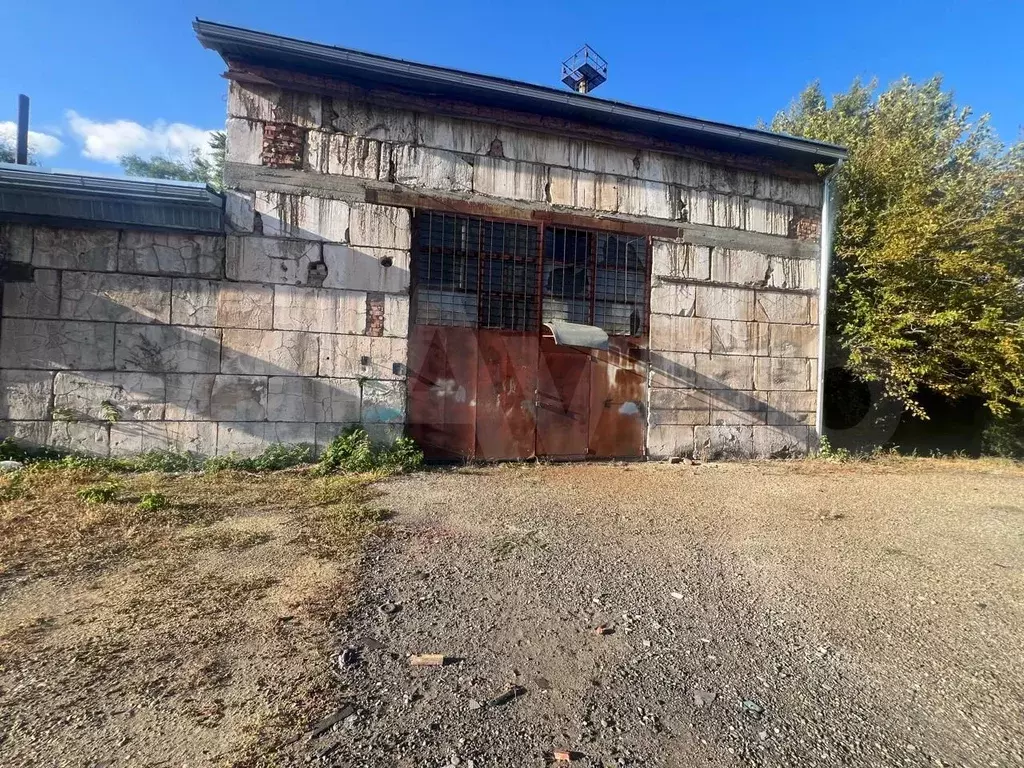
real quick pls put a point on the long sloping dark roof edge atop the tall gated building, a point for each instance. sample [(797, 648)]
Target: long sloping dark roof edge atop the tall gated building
[(266, 48)]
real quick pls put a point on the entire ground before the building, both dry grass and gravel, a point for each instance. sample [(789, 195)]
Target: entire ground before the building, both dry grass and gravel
[(776, 614)]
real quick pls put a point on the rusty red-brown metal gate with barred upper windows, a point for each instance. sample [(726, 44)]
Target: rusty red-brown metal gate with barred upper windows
[(486, 381)]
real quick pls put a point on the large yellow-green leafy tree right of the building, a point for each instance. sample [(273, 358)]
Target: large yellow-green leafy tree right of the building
[(928, 284)]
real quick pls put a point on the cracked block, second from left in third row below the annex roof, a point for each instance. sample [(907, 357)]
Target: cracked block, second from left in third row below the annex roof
[(167, 350)]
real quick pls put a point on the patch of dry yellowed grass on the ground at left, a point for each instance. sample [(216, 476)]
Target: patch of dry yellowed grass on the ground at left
[(196, 633)]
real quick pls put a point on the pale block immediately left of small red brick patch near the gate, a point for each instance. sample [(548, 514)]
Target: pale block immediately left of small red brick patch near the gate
[(320, 310)]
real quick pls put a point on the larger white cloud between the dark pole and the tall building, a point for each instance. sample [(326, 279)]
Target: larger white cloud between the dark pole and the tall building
[(108, 142)]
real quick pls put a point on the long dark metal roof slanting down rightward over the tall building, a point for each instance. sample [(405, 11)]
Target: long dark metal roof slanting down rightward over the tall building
[(371, 70)]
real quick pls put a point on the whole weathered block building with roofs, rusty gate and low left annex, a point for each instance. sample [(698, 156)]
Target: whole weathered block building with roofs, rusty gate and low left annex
[(500, 271)]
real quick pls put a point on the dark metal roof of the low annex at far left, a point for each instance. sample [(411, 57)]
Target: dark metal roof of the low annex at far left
[(41, 196)]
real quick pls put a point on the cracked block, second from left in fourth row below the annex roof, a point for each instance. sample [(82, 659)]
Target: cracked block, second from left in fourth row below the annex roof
[(109, 397)]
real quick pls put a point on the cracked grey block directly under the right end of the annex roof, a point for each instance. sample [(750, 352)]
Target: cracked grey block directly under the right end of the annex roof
[(173, 253)]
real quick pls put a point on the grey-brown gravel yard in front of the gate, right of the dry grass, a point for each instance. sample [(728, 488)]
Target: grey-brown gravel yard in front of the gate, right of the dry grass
[(787, 614)]
